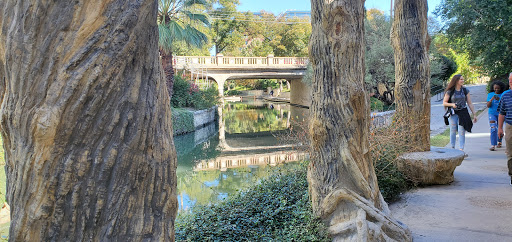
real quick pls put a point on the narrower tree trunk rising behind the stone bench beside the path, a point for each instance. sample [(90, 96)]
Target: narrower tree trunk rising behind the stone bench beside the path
[(410, 40)]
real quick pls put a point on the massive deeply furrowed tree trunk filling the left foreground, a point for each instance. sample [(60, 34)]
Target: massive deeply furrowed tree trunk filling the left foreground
[(86, 122)]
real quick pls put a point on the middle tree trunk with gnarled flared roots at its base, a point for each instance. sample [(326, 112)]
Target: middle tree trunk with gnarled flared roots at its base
[(342, 179)]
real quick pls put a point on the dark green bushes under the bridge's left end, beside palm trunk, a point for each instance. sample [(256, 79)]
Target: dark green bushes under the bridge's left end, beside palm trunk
[(187, 94)]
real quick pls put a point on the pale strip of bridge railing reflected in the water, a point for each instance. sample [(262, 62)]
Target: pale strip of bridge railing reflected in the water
[(236, 161)]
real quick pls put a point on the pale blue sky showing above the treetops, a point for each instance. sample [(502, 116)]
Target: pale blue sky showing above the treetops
[(278, 6)]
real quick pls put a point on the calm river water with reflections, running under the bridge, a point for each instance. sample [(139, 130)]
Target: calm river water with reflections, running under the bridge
[(249, 139)]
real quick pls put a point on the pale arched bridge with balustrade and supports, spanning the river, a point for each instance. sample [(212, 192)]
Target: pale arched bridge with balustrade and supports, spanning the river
[(220, 69)]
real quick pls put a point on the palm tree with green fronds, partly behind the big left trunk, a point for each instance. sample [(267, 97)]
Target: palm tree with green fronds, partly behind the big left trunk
[(179, 20)]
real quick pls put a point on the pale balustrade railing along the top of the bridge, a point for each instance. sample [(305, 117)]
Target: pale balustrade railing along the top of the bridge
[(182, 62)]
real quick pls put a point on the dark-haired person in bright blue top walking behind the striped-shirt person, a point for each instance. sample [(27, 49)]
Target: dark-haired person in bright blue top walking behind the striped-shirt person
[(493, 99)]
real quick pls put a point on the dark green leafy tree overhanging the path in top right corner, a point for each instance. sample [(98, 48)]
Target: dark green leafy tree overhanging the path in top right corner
[(483, 30)]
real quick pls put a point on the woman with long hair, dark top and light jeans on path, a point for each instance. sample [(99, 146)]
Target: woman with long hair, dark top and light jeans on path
[(458, 98)]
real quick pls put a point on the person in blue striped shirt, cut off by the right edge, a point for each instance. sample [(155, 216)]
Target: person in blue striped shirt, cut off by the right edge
[(505, 109)]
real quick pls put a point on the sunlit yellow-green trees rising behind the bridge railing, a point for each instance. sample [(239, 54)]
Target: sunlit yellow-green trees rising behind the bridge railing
[(235, 33)]
